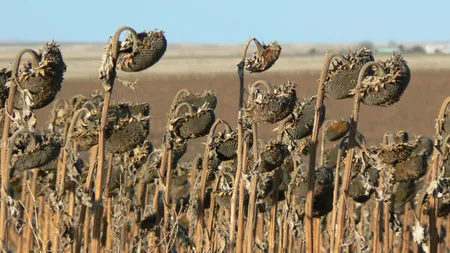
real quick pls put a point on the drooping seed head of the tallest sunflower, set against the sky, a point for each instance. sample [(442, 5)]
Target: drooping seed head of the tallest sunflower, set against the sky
[(142, 53)]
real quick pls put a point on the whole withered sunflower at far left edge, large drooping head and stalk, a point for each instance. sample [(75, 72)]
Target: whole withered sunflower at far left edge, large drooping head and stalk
[(37, 83)]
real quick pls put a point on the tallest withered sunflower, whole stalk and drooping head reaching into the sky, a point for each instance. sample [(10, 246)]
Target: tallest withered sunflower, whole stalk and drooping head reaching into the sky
[(138, 52)]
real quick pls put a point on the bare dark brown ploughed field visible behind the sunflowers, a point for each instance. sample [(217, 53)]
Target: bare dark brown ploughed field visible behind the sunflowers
[(416, 112)]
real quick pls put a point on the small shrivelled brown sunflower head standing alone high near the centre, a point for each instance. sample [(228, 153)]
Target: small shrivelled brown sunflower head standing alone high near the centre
[(264, 57)]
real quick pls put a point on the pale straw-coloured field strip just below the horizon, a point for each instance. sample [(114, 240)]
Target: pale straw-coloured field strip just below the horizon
[(84, 59)]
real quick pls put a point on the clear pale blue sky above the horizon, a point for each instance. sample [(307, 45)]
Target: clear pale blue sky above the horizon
[(229, 21)]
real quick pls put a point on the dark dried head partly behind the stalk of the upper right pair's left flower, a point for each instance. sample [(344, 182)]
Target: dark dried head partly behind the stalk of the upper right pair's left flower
[(301, 122)]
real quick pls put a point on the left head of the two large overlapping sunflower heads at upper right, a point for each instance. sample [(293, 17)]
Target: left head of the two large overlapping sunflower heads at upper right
[(342, 77)]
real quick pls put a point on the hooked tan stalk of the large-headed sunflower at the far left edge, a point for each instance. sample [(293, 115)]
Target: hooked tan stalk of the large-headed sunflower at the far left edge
[(4, 147)]
